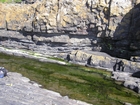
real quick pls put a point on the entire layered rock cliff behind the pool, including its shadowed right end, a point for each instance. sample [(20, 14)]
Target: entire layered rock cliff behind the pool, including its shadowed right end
[(54, 26)]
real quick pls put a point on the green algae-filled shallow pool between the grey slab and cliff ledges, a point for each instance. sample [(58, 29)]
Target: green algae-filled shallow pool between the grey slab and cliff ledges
[(78, 82)]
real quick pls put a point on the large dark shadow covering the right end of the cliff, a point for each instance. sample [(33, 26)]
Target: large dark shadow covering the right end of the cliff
[(126, 38)]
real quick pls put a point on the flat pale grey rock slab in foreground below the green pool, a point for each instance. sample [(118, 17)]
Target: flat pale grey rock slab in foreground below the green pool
[(18, 90)]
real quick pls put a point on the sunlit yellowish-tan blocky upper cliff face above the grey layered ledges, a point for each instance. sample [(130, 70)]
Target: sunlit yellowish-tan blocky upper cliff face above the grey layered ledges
[(94, 17)]
